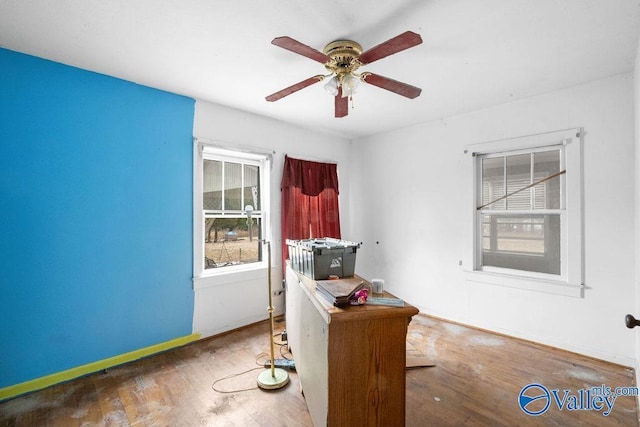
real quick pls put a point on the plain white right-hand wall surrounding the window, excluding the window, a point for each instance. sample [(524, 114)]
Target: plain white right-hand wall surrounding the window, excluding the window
[(411, 192)]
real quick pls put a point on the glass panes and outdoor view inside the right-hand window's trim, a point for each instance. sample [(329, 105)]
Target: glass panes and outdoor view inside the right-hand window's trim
[(520, 211)]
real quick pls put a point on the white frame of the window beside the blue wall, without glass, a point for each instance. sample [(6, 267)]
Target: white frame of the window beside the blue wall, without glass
[(208, 151)]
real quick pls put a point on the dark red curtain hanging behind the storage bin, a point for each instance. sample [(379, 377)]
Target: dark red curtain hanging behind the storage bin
[(309, 201)]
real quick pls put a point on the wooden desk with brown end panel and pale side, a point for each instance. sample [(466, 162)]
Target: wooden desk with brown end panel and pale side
[(351, 361)]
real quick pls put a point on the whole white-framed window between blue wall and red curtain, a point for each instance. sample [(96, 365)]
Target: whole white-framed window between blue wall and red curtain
[(231, 209)]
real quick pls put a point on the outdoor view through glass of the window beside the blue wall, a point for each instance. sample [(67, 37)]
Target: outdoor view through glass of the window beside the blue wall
[(231, 190)]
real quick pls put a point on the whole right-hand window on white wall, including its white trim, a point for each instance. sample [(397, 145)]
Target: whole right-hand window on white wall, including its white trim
[(528, 209)]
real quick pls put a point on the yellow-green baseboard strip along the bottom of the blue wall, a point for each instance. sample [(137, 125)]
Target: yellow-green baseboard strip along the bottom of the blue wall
[(90, 368)]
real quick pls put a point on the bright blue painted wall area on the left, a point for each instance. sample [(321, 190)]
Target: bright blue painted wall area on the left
[(95, 217)]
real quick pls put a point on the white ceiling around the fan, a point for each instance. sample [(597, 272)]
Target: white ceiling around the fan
[(475, 53)]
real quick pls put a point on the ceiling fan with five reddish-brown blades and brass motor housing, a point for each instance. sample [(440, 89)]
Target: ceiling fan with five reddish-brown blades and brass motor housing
[(342, 58)]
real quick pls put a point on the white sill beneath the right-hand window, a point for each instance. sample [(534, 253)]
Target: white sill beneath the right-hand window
[(526, 283)]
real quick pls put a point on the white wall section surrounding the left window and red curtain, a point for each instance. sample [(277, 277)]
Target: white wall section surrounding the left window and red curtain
[(225, 303)]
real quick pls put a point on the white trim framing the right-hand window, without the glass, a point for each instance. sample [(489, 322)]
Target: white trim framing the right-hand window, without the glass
[(570, 282)]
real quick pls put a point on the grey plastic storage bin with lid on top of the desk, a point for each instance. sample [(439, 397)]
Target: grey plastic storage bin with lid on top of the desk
[(320, 258)]
